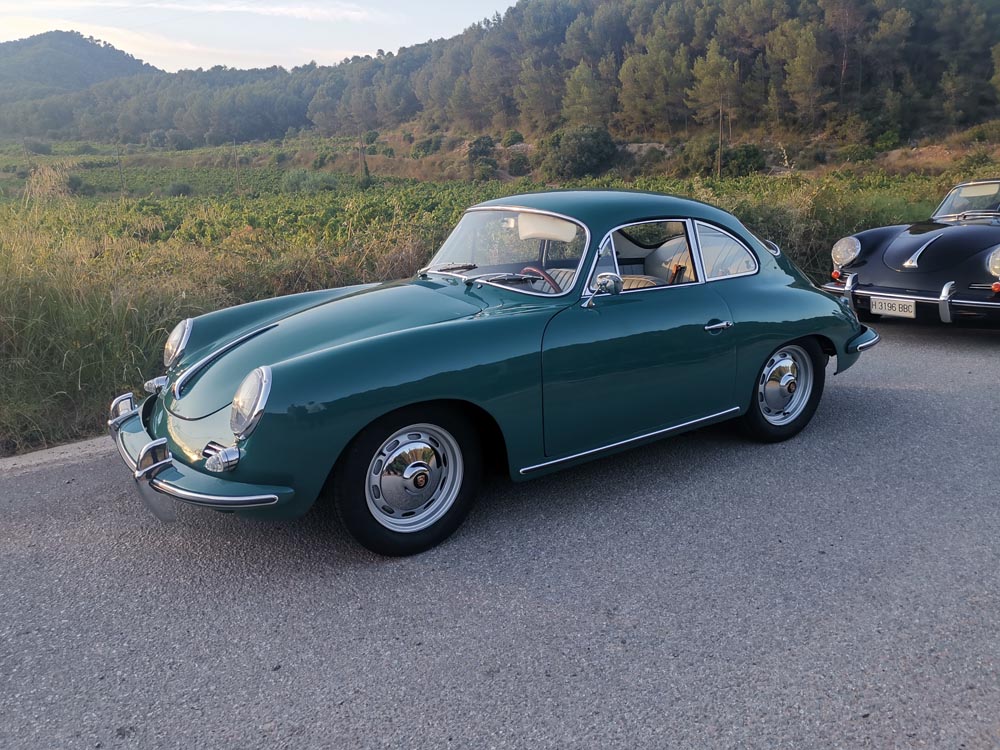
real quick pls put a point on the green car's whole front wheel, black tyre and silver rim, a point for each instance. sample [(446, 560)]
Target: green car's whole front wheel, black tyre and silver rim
[(407, 481)]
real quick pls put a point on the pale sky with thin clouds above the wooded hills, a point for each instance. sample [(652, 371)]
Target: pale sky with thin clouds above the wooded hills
[(176, 34)]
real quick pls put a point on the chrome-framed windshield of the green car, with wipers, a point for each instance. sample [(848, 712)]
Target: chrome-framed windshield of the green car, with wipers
[(529, 252)]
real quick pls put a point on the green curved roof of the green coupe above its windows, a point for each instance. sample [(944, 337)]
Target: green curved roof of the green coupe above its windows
[(603, 210)]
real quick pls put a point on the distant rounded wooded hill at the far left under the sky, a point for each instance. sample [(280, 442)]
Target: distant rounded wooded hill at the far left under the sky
[(58, 62)]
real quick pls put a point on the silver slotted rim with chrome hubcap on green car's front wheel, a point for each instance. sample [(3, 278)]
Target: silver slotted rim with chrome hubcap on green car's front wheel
[(414, 478)]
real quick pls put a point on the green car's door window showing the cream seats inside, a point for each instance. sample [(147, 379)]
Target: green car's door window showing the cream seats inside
[(655, 253)]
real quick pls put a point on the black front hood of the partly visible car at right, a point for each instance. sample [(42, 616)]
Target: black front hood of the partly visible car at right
[(944, 245)]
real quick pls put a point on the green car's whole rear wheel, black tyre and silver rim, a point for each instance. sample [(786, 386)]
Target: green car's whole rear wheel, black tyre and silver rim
[(786, 392)]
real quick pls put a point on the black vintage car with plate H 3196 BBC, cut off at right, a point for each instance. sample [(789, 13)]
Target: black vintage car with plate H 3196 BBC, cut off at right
[(947, 267)]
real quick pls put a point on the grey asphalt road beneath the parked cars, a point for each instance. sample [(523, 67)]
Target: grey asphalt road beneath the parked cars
[(838, 590)]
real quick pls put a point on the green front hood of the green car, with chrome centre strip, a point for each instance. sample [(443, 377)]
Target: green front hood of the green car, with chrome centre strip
[(374, 311)]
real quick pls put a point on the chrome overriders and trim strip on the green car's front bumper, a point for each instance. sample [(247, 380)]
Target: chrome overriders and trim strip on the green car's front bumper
[(154, 459)]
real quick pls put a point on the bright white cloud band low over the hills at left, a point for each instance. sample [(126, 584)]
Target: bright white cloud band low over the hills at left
[(170, 54)]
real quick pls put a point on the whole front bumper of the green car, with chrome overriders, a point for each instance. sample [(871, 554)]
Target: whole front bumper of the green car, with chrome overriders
[(161, 480)]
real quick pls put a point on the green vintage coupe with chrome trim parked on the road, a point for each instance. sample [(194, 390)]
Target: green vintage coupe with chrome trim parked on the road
[(548, 329)]
